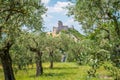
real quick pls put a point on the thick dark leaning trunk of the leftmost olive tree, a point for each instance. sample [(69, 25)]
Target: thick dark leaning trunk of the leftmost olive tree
[(7, 63)]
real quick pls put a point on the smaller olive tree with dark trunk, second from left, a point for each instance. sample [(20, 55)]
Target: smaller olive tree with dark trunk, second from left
[(36, 44)]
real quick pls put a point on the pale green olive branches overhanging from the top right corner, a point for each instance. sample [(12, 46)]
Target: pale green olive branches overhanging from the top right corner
[(93, 13)]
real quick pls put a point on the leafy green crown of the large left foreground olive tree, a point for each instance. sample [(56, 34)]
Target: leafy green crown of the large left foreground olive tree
[(16, 14)]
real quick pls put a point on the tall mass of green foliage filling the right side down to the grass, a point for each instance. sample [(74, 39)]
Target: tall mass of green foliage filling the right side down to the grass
[(100, 20)]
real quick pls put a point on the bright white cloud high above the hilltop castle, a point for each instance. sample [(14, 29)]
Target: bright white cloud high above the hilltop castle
[(58, 7)]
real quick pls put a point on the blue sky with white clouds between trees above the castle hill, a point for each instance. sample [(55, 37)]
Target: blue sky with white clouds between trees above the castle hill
[(57, 12)]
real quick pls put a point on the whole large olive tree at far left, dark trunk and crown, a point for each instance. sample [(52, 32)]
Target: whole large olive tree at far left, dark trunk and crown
[(13, 15)]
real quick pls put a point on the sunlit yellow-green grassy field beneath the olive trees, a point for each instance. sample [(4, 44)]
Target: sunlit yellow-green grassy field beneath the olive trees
[(61, 71)]
